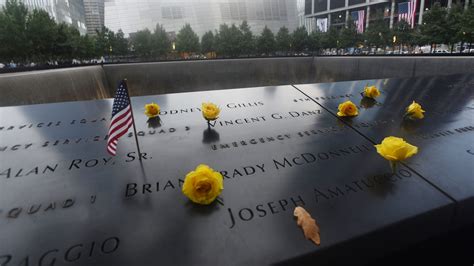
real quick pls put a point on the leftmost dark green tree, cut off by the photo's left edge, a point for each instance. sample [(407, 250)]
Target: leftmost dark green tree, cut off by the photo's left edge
[(14, 44)]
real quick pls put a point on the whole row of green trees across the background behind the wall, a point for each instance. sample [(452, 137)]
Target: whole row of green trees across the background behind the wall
[(33, 36)]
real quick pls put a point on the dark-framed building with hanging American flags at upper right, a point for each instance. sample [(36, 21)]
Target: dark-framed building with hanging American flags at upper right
[(335, 13)]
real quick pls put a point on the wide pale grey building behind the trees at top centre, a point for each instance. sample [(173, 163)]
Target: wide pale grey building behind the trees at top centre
[(203, 15)]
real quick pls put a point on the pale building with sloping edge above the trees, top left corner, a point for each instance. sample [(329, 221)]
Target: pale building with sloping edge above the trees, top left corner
[(63, 11)]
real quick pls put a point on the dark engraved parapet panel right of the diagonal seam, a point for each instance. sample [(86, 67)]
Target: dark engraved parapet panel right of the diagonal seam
[(445, 136)]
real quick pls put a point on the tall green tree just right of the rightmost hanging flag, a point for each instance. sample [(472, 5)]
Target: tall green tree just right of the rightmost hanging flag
[(434, 28)]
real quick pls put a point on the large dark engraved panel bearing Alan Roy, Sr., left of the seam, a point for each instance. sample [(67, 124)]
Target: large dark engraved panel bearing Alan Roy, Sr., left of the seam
[(64, 200)]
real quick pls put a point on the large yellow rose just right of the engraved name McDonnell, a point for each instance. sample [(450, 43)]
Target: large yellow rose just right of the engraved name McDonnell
[(396, 149)]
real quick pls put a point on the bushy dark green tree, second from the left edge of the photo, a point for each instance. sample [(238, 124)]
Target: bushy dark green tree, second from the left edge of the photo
[(41, 33)]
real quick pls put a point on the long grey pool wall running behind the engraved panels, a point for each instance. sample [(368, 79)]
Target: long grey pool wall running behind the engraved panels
[(98, 82)]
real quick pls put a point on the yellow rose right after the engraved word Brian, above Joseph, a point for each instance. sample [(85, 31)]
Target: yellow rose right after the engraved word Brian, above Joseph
[(203, 185)]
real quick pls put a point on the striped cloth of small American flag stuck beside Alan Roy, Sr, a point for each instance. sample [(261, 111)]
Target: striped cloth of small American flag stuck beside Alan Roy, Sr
[(122, 118)]
